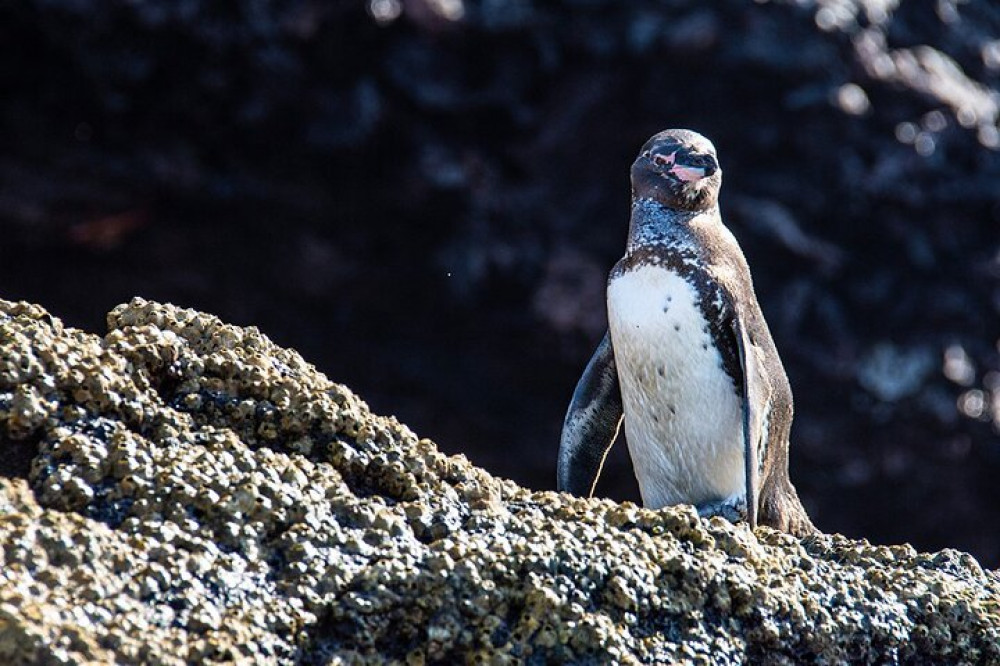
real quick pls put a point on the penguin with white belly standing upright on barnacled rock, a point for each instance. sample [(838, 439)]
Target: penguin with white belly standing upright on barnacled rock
[(688, 365)]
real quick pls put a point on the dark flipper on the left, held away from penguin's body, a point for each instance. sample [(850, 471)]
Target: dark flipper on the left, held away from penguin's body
[(591, 425)]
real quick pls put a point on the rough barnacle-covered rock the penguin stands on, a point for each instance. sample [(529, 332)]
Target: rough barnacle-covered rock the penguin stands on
[(184, 491)]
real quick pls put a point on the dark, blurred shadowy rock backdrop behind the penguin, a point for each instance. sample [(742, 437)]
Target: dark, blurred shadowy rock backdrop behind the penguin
[(424, 198)]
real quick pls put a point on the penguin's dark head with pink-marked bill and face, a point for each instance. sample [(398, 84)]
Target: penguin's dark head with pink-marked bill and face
[(679, 169)]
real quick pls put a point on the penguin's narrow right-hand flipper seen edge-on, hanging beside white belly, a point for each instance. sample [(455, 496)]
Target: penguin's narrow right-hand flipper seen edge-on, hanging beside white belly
[(756, 401)]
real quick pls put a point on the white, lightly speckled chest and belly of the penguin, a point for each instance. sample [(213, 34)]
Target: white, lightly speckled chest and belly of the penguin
[(683, 419)]
